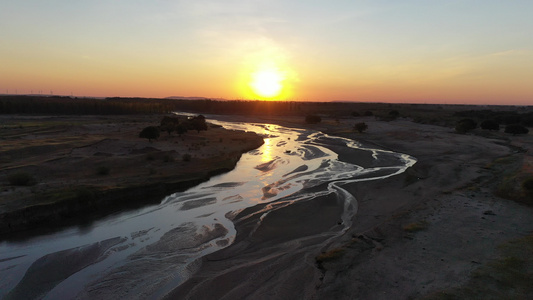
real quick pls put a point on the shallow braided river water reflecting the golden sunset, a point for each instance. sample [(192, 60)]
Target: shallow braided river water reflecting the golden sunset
[(146, 253)]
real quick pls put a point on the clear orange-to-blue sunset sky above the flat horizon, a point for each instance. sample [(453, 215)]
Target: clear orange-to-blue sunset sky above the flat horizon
[(424, 51)]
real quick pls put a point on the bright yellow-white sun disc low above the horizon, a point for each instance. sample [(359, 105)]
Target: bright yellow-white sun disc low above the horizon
[(267, 83)]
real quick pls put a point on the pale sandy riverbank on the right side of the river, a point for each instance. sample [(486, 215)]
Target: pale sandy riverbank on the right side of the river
[(421, 234)]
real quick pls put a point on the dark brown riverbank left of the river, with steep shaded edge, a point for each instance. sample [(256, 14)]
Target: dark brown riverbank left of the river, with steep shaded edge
[(78, 168)]
